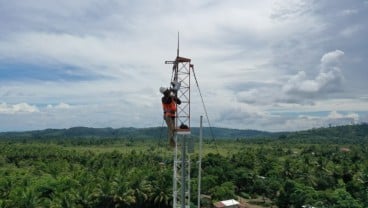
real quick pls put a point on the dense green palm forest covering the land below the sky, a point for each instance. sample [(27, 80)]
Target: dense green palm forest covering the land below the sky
[(324, 167)]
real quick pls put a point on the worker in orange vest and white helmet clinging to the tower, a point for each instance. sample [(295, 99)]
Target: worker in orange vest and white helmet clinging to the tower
[(169, 102)]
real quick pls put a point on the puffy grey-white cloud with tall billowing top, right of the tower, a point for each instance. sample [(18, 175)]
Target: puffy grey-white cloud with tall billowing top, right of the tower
[(299, 88)]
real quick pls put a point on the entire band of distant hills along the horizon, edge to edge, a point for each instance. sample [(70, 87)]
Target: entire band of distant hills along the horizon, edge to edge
[(339, 134)]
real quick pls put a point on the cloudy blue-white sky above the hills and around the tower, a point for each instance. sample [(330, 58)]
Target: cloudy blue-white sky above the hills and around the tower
[(274, 65)]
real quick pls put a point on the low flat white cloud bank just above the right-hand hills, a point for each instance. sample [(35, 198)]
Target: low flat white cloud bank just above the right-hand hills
[(250, 118)]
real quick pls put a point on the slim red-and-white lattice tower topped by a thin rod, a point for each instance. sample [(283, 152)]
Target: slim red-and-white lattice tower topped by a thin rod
[(181, 168)]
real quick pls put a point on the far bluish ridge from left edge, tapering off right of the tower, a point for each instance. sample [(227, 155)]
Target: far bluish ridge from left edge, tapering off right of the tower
[(144, 133)]
